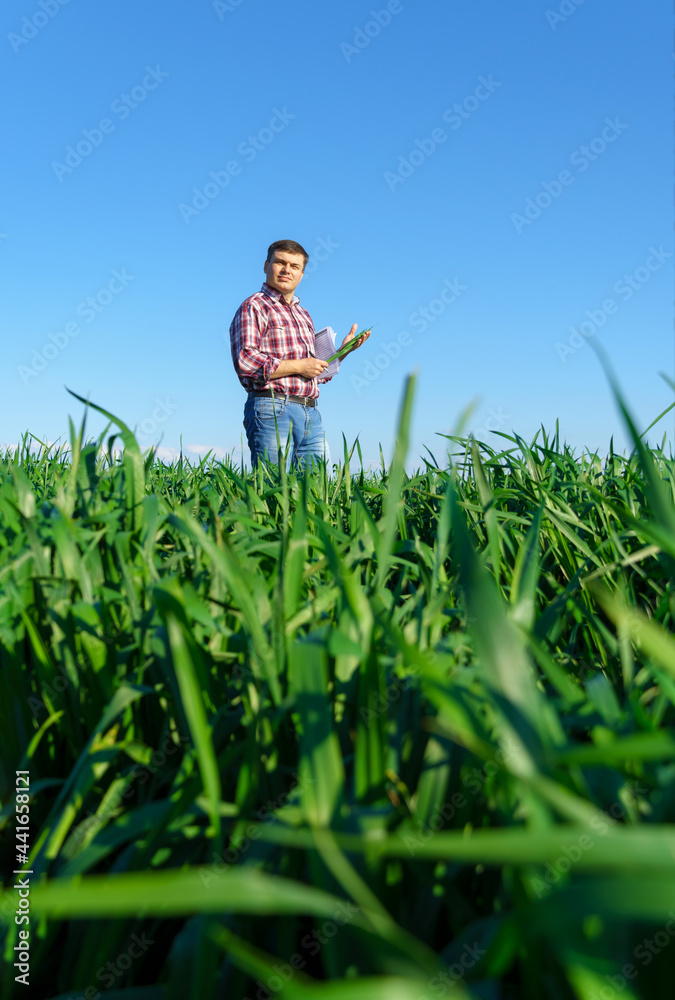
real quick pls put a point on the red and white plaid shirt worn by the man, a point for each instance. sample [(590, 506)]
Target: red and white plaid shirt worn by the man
[(266, 329)]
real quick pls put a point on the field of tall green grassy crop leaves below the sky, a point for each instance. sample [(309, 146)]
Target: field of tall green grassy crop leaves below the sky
[(372, 735)]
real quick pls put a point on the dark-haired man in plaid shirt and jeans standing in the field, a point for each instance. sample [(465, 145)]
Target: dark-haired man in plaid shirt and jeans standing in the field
[(272, 340)]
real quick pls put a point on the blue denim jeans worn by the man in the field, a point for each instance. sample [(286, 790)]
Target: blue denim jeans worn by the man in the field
[(304, 423)]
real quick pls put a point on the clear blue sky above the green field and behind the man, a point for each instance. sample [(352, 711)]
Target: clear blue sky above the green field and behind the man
[(367, 163)]
